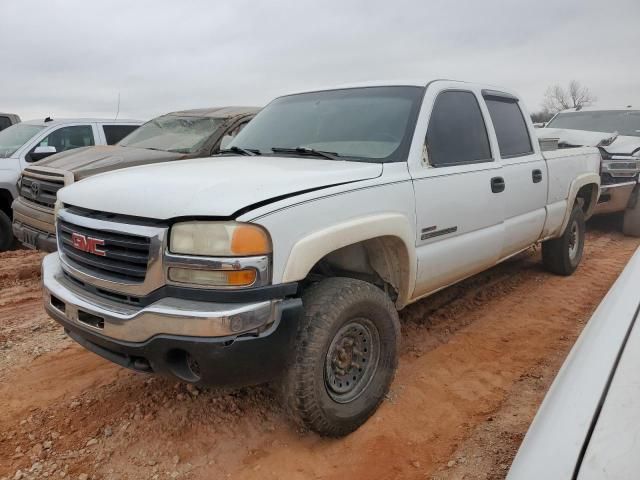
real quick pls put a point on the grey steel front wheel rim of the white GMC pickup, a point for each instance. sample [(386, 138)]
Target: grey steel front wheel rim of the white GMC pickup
[(352, 360)]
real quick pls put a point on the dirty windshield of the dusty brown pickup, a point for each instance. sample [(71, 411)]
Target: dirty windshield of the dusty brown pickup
[(173, 133)]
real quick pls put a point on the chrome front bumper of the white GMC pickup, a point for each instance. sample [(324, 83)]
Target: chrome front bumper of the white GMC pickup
[(168, 316)]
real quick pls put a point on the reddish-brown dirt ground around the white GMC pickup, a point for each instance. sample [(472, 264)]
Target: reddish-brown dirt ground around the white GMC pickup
[(469, 353)]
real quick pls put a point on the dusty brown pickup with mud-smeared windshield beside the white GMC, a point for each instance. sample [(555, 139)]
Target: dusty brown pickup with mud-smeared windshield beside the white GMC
[(173, 136)]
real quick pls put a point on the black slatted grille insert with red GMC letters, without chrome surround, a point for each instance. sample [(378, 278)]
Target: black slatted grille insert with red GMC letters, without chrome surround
[(121, 256)]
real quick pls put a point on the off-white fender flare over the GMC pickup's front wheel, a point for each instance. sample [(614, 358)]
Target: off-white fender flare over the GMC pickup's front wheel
[(309, 250)]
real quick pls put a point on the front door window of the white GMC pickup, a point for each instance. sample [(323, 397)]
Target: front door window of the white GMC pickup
[(457, 133)]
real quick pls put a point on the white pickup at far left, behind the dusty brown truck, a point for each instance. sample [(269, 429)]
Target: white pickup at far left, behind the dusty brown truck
[(24, 143)]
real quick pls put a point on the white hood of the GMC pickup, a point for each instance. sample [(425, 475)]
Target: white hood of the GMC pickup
[(213, 187)]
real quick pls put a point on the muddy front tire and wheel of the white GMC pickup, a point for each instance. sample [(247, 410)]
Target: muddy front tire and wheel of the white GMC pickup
[(346, 356)]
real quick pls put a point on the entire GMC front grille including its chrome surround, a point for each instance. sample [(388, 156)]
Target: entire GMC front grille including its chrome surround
[(111, 252)]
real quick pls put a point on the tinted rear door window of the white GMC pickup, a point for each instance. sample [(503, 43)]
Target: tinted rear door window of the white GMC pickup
[(511, 129)]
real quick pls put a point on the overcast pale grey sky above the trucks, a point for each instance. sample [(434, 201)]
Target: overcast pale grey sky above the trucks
[(70, 58)]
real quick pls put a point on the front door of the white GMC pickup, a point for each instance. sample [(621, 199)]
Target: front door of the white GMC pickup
[(459, 192)]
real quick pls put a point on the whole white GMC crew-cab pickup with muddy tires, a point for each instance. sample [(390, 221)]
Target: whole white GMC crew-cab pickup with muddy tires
[(287, 257)]
